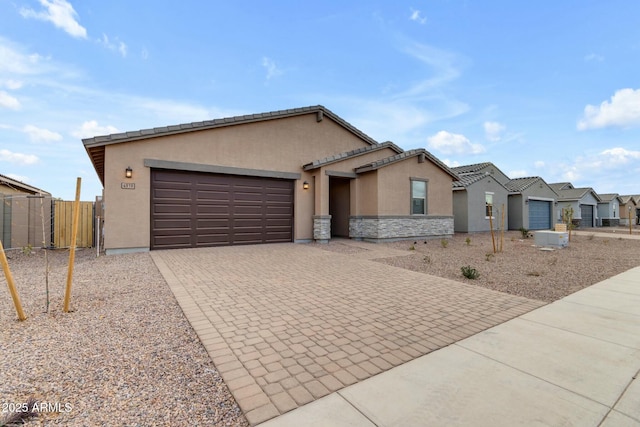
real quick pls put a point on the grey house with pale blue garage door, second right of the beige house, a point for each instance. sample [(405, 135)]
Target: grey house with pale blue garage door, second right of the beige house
[(532, 204)]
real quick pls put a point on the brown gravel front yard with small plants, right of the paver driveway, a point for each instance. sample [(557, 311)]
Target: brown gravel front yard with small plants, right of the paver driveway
[(522, 268)]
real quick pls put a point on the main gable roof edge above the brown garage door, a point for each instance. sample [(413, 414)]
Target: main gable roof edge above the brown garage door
[(95, 146)]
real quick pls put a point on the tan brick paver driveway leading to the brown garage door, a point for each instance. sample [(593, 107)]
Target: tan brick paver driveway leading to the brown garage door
[(286, 324)]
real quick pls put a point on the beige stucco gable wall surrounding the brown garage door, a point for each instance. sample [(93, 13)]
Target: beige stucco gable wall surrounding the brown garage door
[(282, 145)]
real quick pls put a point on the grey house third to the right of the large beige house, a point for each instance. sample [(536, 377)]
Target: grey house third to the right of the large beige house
[(584, 202)]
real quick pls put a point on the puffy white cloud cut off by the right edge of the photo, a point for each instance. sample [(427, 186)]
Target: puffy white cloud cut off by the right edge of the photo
[(623, 110)]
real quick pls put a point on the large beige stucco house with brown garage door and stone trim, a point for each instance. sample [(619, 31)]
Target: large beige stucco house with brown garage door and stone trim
[(296, 175)]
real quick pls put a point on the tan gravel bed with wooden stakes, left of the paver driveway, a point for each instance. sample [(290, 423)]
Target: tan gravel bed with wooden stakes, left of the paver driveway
[(125, 356)]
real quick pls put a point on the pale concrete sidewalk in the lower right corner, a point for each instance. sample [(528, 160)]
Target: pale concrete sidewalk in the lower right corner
[(574, 362)]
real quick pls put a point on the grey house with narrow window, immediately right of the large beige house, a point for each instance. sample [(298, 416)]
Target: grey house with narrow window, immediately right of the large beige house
[(479, 198)]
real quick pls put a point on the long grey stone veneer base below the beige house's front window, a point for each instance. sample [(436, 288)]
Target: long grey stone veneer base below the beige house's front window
[(399, 227)]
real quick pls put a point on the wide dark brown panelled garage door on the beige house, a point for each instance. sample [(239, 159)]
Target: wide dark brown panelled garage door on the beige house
[(193, 209)]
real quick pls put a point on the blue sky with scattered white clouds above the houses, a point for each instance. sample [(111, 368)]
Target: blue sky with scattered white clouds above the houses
[(546, 88)]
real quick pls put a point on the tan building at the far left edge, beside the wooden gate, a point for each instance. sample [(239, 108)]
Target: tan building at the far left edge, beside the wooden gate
[(22, 224)]
